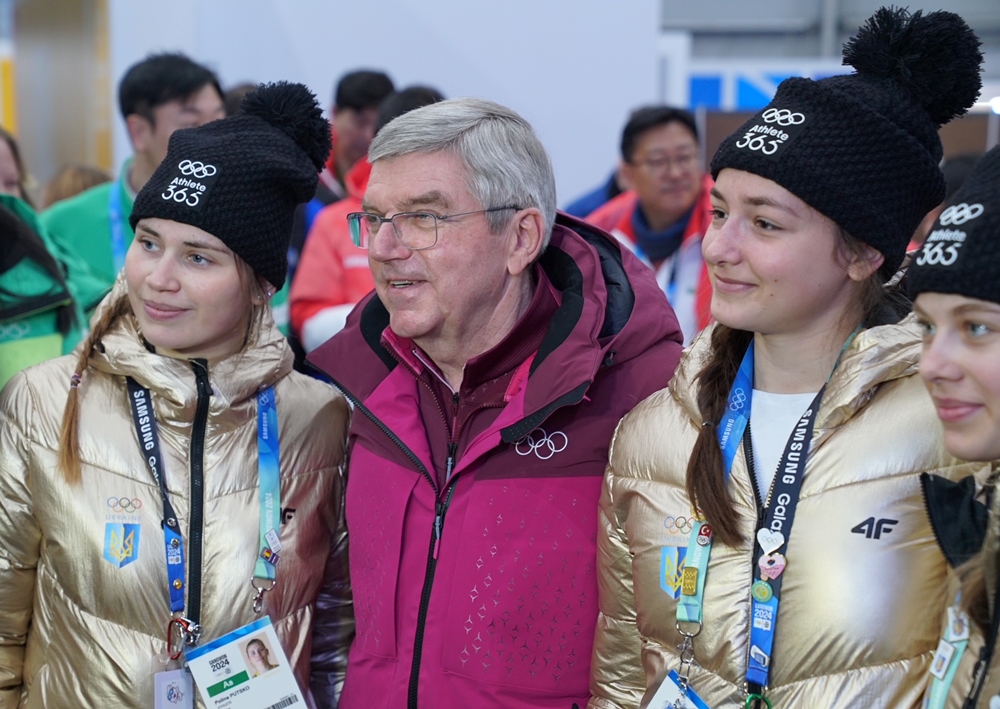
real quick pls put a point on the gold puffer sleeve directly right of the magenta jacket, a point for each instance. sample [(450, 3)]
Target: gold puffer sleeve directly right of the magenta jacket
[(617, 677)]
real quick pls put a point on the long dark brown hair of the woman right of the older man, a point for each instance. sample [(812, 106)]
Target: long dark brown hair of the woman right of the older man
[(706, 483)]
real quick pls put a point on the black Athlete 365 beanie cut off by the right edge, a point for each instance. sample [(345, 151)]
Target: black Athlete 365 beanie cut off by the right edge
[(962, 253)]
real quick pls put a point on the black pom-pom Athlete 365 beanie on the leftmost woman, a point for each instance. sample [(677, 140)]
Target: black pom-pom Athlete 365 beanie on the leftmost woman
[(240, 178)]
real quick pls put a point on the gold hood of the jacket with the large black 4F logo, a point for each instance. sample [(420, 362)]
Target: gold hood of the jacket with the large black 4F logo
[(876, 356)]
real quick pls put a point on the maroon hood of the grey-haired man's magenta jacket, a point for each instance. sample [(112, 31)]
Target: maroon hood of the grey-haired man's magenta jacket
[(597, 324)]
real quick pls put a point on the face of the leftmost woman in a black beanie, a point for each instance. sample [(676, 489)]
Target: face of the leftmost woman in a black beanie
[(186, 292)]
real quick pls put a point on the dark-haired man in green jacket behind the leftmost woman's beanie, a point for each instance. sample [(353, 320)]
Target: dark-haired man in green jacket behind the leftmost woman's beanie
[(157, 96)]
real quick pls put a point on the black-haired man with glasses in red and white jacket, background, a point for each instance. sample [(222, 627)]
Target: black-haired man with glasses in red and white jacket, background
[(666, 209)]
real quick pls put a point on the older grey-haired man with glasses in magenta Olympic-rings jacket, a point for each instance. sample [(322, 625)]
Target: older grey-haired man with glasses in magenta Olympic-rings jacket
[(487, 372)]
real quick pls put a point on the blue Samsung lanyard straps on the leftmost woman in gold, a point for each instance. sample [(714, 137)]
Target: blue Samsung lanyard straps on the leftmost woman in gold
[(269, 481)]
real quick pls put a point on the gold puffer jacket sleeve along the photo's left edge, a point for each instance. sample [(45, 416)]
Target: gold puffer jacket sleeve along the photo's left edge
[(20, 536)]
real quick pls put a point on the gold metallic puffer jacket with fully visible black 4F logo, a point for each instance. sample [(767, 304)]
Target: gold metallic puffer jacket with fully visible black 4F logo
[(865, 585)]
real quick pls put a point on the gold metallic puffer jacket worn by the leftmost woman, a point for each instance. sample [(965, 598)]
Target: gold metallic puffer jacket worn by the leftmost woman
[(83, 611)]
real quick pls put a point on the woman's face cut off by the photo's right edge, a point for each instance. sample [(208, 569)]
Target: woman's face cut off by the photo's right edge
[(960, 366)]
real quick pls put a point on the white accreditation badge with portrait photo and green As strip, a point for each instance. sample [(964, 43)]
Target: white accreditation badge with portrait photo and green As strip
[(246, 669)]
